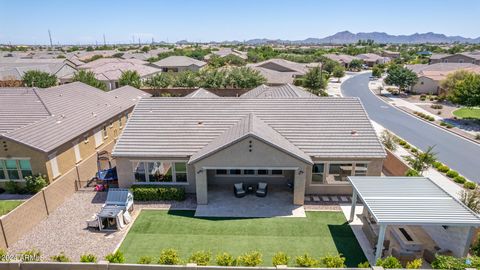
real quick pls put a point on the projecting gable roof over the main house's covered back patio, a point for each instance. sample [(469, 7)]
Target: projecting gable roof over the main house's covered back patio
[(250, 125)]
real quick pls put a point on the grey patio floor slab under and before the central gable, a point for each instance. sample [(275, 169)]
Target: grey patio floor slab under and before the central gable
[(222, 203)]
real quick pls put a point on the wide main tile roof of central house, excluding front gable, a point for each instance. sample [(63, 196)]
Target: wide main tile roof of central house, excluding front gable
[(180, 127)]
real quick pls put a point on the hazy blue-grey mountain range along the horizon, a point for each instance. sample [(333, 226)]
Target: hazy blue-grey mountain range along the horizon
[(347, 37)]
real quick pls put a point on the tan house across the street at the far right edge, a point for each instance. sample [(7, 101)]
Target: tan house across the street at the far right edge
[(430, 76)]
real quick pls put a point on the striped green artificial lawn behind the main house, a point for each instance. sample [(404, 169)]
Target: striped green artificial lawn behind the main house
[(319, 234)]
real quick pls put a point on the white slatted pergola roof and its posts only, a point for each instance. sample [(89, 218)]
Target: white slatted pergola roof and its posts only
[(409, 201)]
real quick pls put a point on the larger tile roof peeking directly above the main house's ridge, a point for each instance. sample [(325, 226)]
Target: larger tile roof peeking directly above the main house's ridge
[(281, 91)]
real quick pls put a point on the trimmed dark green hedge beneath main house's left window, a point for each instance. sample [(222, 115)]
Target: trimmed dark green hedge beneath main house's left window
[(155, 193)]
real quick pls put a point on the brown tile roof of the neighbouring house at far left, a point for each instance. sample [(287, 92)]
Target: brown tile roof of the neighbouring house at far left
[(68, 111)]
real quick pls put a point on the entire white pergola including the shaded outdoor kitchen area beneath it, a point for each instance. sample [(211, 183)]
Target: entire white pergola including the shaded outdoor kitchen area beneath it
[(409, 218)]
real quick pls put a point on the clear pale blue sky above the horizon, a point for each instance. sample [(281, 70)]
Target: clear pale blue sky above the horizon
[(85, 21)]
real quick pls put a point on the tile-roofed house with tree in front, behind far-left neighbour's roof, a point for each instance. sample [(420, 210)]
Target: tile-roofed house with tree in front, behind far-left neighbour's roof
[(109, 70)]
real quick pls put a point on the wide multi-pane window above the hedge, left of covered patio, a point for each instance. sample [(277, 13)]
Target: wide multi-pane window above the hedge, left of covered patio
[(160, 171)]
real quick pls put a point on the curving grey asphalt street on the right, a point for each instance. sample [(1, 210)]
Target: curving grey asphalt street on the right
[(458, 153)]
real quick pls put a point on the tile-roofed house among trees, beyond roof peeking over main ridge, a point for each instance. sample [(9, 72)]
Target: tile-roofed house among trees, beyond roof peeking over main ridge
[(280, 71)]
